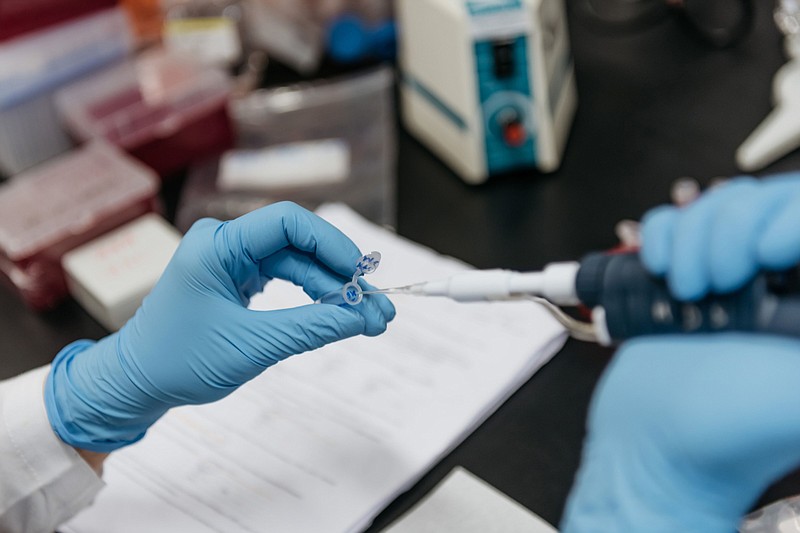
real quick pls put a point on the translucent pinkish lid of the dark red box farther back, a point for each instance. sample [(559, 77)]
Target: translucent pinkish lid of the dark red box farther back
[(144, 99)]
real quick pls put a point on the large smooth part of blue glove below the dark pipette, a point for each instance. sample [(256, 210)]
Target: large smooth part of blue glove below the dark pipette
[(685, 434)]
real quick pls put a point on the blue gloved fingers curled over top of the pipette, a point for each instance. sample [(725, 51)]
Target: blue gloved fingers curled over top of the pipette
[(722, 239)]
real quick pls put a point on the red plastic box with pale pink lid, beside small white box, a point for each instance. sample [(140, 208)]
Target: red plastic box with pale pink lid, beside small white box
[(56, 206)]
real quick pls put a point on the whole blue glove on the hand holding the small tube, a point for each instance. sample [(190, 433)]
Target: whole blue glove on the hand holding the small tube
[(194, 341)]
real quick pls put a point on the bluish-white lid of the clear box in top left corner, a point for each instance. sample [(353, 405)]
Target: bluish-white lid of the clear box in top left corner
[(41, 61)]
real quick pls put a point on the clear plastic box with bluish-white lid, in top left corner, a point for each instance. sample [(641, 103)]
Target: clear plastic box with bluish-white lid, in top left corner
[(33, 66)]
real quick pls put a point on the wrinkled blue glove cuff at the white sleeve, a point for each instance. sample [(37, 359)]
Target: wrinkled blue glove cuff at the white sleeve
[(67, 407)]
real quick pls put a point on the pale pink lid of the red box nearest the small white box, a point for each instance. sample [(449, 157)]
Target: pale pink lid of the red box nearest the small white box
[(68, 195)]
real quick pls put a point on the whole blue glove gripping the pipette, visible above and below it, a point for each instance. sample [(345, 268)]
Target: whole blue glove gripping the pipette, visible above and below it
[(686, 432)]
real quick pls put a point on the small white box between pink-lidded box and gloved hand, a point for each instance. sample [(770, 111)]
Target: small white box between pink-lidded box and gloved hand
[(111, 275)]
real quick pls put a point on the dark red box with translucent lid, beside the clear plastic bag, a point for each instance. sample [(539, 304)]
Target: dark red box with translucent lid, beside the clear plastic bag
[(165, 109)]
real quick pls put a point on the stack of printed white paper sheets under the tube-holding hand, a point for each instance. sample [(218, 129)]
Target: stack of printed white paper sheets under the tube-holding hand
[(323, 441)]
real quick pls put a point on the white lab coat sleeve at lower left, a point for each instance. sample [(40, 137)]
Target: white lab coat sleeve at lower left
[(43, 482)]
